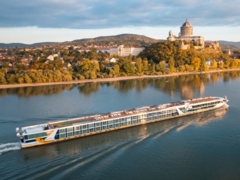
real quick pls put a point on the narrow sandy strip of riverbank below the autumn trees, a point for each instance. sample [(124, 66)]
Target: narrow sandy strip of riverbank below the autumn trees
[(111, 79)]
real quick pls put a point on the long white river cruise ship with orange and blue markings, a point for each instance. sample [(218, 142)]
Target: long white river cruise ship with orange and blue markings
[(52, 132)]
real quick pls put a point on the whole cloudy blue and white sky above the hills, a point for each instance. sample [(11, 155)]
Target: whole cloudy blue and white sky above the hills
[(32, 21)]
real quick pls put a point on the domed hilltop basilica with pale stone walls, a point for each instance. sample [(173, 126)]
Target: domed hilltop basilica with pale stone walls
[(186, 34)]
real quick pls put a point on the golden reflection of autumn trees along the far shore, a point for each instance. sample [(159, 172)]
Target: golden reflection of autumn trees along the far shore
[(185, 84)]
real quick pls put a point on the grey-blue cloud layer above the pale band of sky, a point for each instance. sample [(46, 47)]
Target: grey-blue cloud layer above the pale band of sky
[(96, 14)]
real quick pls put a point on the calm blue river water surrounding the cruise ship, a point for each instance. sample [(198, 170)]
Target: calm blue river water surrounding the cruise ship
[(203, 146)]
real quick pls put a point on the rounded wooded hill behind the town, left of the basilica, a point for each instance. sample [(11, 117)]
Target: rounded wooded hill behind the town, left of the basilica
[(126, 39)]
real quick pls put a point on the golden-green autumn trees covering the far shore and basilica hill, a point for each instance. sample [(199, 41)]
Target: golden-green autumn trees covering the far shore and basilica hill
[(161, 59)]
